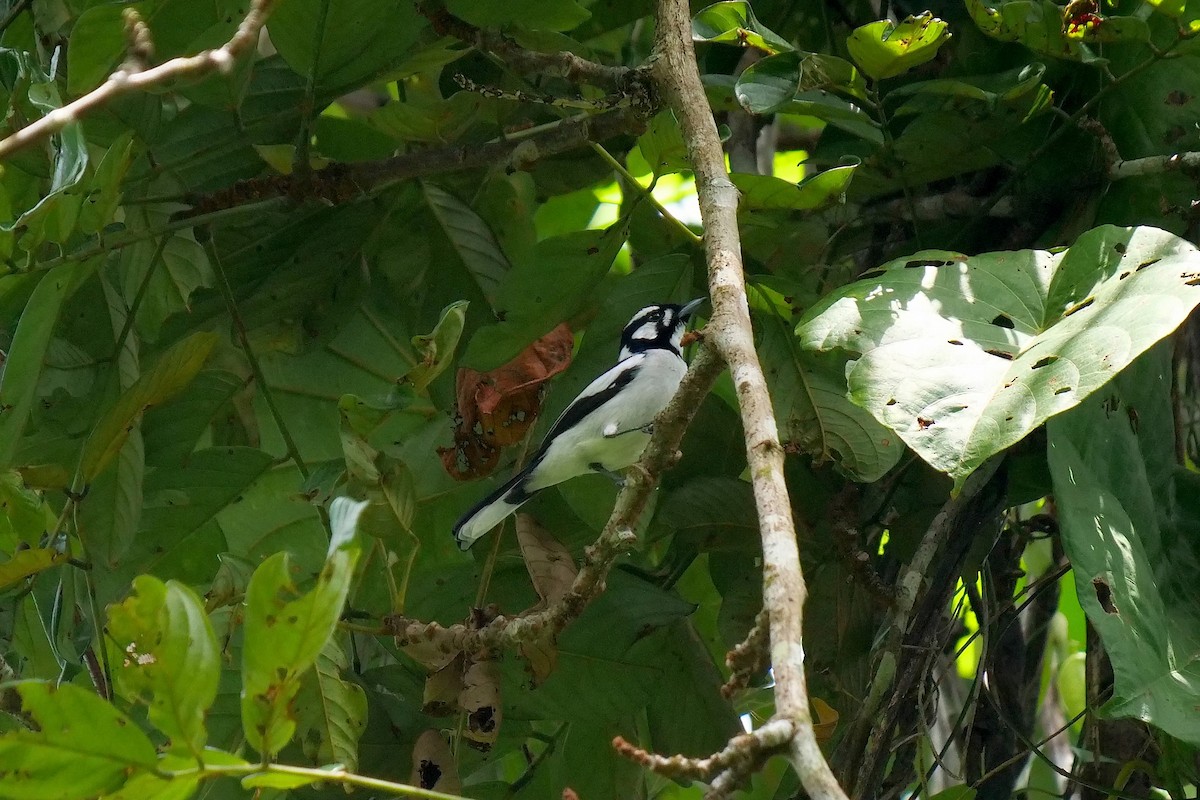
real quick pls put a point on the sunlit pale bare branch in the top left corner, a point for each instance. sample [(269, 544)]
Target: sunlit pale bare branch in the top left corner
[(131, 77)]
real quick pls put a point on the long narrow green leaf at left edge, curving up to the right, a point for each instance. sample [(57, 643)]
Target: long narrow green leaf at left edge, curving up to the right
[(28, 352)]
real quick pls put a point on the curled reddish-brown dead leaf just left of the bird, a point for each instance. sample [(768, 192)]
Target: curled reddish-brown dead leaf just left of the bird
[(497, 408)]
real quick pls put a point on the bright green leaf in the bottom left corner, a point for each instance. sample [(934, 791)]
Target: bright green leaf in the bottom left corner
[(83, 747)]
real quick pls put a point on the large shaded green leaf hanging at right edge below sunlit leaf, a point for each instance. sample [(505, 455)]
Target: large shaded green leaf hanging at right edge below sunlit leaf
[(1131, 530)]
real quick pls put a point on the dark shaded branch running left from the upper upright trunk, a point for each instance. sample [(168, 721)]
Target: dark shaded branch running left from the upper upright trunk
[(341, 183)]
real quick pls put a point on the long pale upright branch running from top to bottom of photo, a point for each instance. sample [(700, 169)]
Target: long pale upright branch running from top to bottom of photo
[(784, 591)]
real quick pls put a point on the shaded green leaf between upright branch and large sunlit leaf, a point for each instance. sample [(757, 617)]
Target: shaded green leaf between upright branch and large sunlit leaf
[(809, 394)]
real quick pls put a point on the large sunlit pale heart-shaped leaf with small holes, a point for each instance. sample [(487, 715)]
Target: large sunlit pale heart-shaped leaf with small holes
[(964, 356)]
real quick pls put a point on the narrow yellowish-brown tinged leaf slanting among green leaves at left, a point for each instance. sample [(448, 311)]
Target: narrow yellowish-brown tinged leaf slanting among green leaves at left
[(173, 371)]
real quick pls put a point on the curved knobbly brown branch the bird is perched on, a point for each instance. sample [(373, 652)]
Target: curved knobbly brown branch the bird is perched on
[(616, 538)]
